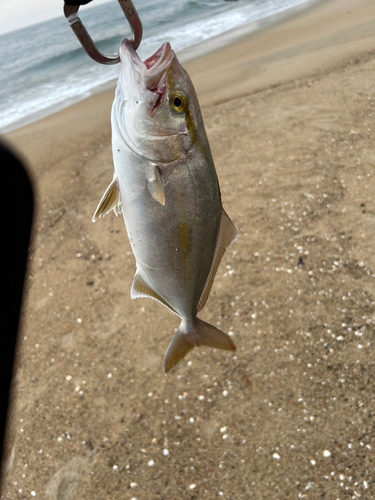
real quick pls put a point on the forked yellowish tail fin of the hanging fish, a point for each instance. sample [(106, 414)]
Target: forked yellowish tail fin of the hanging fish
[(186, 339)]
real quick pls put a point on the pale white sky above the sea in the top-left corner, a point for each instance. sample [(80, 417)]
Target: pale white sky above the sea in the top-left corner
[(15, 14)]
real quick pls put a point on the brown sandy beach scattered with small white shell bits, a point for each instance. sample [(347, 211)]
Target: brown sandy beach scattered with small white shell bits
[(290, 114)]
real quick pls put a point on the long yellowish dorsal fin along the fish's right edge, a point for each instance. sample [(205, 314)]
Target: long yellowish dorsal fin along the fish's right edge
[(227, 235)]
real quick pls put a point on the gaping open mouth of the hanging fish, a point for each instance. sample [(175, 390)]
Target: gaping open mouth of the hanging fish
[(153, 68)]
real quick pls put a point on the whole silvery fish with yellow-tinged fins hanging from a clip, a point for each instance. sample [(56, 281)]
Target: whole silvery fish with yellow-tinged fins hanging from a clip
[(166, 187)]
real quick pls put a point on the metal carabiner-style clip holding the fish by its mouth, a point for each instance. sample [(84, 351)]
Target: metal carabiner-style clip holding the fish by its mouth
[(71, 13)]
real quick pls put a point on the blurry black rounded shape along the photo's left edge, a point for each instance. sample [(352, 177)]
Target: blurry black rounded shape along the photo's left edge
[(18, 208)]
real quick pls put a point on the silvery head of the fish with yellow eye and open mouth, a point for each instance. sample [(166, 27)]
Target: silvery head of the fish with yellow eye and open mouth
[(157, 104)]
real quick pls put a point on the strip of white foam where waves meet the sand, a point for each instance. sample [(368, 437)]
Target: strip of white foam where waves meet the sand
[(186, 55)]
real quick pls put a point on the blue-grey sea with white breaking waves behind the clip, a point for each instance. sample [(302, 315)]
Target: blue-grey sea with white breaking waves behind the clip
[(44, 68)]
